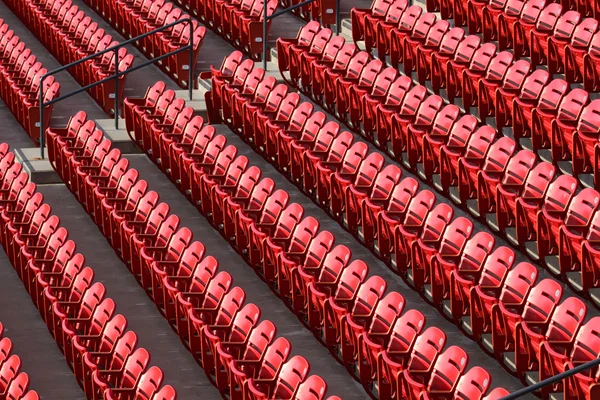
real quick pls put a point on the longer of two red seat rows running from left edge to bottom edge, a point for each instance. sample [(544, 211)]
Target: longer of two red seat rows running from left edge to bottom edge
[(103, 355)]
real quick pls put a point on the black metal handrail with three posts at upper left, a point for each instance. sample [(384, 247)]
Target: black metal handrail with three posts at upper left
[(117, 74)]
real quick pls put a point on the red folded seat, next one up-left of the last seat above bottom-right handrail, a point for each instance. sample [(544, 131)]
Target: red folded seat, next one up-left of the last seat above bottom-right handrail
[(565, 321)]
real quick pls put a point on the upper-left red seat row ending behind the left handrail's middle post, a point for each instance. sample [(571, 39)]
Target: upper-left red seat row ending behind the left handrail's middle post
[(70, 35)]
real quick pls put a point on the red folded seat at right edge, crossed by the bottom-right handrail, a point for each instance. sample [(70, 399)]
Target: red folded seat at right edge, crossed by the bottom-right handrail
[(555, 359)]
